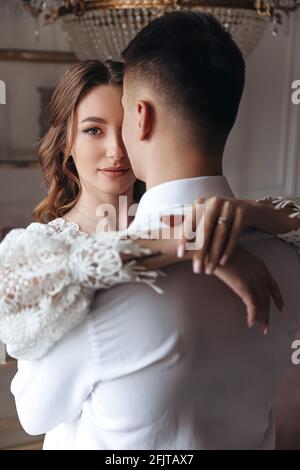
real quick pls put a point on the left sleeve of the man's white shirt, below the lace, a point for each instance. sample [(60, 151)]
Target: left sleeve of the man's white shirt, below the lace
[(52, 390)]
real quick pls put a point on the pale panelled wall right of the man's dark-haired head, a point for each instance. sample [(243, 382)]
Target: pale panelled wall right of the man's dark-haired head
[(263, 151)]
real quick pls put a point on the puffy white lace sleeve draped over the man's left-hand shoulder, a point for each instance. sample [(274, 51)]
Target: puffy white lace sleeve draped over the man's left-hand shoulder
[(47, 281)]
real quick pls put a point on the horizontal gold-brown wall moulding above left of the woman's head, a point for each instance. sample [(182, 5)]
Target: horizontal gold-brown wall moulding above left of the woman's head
[(38, 56)]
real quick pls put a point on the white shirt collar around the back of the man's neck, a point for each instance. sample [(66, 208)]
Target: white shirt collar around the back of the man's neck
[(181, 192)]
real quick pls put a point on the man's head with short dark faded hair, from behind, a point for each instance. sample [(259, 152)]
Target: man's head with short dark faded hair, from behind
[(184, 76)]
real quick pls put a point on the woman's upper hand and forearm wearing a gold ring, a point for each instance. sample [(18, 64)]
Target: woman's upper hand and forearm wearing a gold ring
[(224, 220)]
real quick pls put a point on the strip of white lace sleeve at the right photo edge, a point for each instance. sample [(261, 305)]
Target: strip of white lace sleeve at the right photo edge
[(283, 203)]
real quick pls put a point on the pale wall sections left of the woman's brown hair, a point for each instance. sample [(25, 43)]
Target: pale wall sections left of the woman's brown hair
[(21, 189)]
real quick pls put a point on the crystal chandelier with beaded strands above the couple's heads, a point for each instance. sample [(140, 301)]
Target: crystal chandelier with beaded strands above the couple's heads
[(101, 29)]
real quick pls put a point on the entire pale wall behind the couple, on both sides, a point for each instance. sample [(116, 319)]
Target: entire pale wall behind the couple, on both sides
[(262, 156)]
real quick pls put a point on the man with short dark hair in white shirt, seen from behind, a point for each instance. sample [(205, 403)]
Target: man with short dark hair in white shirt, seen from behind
[(180, 370)]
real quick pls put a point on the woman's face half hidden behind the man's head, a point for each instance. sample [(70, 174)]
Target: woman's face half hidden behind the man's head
[(98, 150)]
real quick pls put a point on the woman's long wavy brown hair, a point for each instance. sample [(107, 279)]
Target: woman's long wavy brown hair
[(59, 171)]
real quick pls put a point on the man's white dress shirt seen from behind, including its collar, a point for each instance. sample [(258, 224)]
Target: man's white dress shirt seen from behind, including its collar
[(174, 371)]
